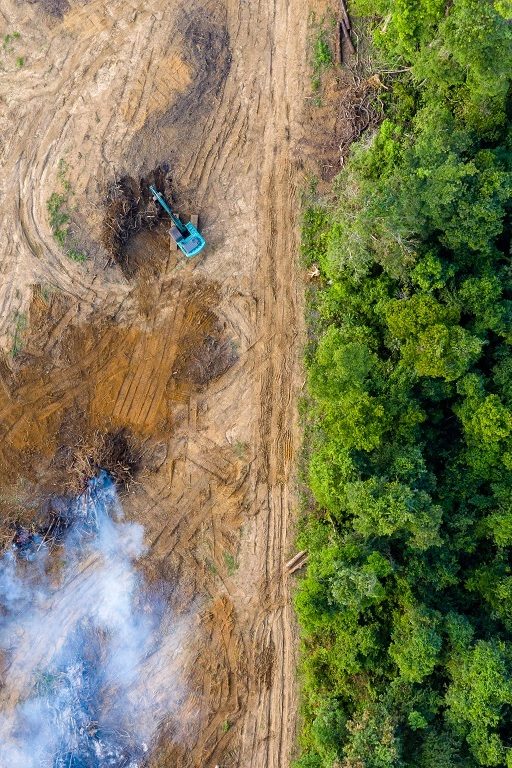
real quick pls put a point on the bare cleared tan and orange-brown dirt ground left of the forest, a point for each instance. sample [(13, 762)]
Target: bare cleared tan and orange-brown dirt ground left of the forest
[(217, 89)]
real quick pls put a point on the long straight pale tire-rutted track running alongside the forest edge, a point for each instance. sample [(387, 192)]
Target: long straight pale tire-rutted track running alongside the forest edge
[(277, 408)]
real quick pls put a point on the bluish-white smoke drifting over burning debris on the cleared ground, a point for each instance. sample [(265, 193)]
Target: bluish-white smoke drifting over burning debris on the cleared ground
[(82, 648)]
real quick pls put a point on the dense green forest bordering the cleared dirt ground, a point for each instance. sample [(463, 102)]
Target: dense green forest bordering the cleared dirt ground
[(406, 606)]
